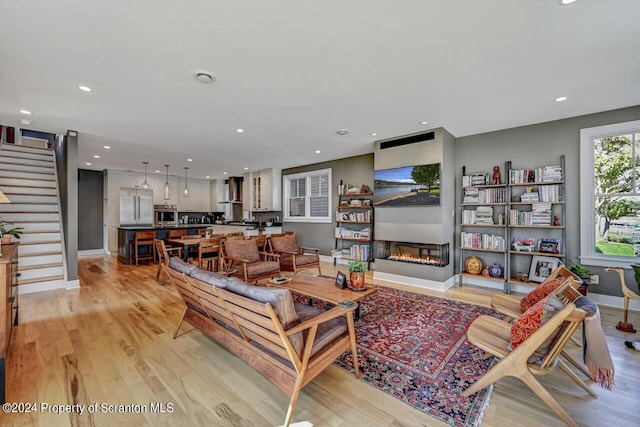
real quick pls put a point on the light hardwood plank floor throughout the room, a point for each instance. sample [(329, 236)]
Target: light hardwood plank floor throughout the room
[(110, 343)]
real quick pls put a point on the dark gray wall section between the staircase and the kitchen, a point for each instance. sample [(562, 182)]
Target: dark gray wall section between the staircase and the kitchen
[(90, 196)]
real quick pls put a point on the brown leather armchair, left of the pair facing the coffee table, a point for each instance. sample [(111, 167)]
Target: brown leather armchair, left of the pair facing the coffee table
[(252, 264)]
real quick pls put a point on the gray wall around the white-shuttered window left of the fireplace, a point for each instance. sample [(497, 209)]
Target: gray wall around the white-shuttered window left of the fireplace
[(353, 170)]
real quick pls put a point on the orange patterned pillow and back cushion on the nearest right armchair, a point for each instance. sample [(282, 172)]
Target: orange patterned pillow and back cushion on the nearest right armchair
[(531, 320)]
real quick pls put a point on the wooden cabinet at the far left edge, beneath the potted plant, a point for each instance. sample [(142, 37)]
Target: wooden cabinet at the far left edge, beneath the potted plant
[(9, 318)]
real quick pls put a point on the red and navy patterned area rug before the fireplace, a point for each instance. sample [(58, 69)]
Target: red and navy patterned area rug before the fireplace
[(414, 348)]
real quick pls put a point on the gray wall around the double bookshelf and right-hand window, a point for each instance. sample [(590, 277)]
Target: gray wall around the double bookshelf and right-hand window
[(540, 145)]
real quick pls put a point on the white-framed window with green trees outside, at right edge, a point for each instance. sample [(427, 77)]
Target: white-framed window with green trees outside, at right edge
[(610, 194)]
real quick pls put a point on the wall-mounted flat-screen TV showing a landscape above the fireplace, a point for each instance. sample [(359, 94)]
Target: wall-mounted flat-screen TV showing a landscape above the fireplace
[(407, 186)]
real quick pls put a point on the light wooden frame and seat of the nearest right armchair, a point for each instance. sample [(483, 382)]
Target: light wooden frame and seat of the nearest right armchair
[(493, 336)]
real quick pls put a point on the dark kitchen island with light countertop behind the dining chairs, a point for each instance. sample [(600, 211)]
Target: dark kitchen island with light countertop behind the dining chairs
[(127, 233)]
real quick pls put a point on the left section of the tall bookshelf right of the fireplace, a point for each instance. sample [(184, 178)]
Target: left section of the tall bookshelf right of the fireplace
[(483, 232)]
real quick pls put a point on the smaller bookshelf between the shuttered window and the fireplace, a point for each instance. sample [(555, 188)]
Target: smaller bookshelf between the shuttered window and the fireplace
[(354, 227)]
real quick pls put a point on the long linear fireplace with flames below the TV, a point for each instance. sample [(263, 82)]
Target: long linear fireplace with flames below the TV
[(414, 253)]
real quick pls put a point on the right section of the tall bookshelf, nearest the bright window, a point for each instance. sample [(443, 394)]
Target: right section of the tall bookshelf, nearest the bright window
[(535, 220)]
